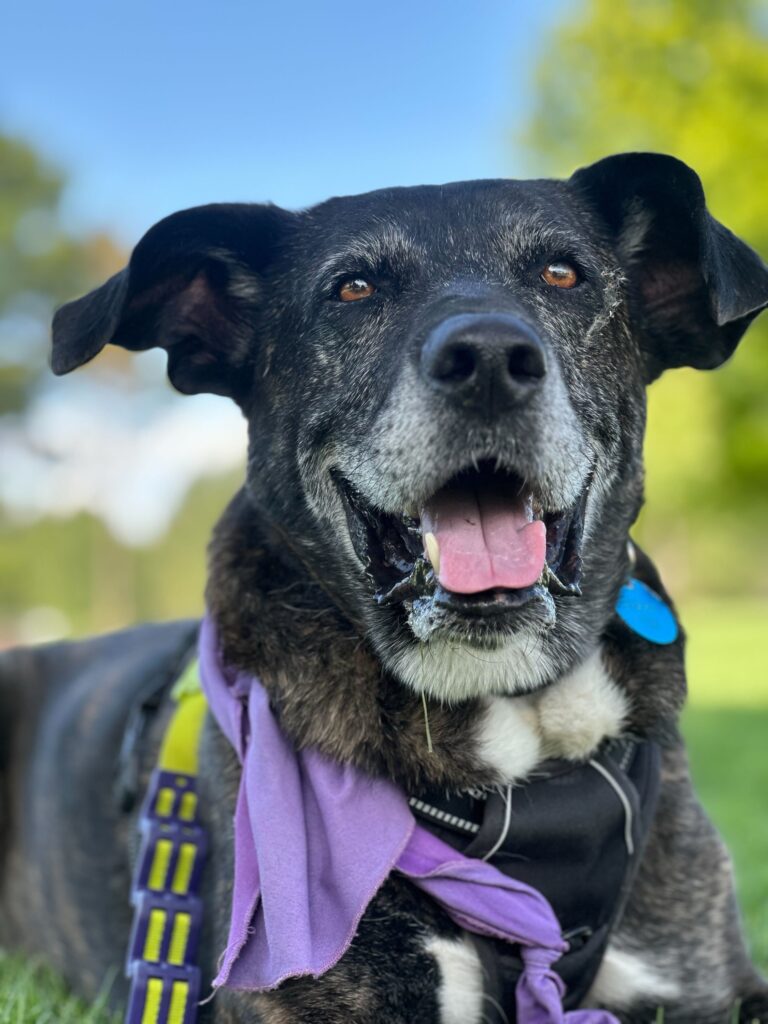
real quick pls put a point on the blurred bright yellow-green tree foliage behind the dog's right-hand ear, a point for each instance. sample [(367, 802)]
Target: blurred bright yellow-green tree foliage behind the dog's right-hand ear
[(687, 77)]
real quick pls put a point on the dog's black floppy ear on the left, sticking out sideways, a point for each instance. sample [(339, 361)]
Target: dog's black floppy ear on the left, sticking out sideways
[(192, 287)]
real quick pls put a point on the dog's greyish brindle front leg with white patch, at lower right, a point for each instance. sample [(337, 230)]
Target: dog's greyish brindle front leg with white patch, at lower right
[(679, 944)]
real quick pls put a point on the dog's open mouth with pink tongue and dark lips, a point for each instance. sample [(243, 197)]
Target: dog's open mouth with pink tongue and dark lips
[(484, 544)]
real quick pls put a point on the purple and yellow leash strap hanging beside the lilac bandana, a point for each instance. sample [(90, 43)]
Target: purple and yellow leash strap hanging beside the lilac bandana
[(167, 911)]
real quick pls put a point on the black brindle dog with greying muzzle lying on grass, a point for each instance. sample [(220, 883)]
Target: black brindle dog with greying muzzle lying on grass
[(445, 392)]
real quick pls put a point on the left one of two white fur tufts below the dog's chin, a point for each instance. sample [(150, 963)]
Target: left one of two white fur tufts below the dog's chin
[(508, 738)]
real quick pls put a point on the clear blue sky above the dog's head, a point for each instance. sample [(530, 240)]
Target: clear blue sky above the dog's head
[(152, 107)]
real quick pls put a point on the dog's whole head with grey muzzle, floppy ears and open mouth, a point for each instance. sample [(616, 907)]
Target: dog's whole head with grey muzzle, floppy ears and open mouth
[(445, 390)]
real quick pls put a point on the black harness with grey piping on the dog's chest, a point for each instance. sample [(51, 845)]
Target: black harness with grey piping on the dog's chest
[(574, 832)]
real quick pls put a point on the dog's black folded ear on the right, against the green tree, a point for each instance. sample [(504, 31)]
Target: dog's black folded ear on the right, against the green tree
[(695, 287)]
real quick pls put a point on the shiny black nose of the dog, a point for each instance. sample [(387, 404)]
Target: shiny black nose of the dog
[(485, 362)]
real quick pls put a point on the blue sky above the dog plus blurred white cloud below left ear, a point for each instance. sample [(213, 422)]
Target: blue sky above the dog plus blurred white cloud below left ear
[(150, 107)]
